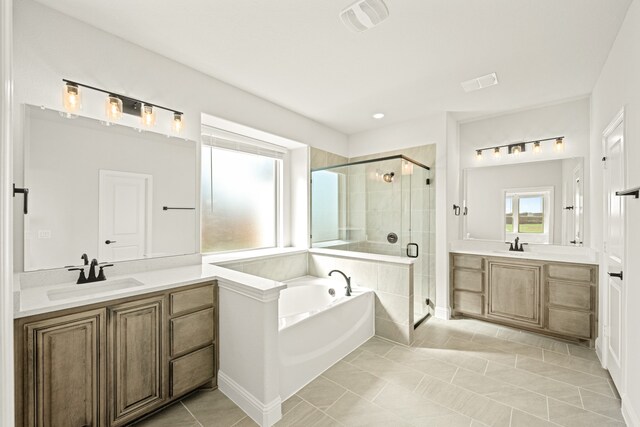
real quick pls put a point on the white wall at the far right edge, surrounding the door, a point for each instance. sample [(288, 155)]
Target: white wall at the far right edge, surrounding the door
[(619, 86)]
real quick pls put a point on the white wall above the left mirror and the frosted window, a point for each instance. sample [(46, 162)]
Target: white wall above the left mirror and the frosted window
[(51, 46)]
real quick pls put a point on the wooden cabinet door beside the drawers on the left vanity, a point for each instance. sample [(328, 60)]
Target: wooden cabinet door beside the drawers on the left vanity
[(136, 359)]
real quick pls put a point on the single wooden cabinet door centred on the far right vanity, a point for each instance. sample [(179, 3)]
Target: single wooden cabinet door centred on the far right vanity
[(514, 292)]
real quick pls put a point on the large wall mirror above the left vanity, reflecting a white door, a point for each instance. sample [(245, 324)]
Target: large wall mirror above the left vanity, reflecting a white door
[(109, 191)]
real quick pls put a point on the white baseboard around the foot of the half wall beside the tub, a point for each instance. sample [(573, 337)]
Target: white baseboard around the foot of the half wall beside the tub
[(265, 415)]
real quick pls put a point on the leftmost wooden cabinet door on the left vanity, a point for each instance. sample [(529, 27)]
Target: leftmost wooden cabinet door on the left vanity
[(64, 375)]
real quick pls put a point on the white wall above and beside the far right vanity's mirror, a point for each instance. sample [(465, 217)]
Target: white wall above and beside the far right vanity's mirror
[(569, 119)]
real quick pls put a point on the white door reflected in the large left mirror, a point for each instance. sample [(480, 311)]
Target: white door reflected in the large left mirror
[(124, 217)]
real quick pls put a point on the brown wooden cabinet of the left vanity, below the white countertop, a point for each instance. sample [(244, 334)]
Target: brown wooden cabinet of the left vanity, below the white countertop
[(109, 363)]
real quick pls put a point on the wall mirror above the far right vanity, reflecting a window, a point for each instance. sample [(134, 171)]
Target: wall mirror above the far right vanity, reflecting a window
[(539, 202)]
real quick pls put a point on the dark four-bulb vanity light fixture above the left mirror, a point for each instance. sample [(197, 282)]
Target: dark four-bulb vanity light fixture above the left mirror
[(116, 105)]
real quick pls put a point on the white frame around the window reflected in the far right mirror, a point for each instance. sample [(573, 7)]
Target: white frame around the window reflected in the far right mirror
[(547, 193)]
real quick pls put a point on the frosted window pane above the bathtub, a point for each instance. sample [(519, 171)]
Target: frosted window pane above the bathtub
[(239, 201)]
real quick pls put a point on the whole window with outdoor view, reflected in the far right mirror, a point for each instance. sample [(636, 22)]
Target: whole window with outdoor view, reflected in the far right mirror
[(528, 215)]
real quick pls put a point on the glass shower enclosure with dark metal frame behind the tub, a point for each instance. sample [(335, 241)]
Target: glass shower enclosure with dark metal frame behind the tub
[(379, 206)]
